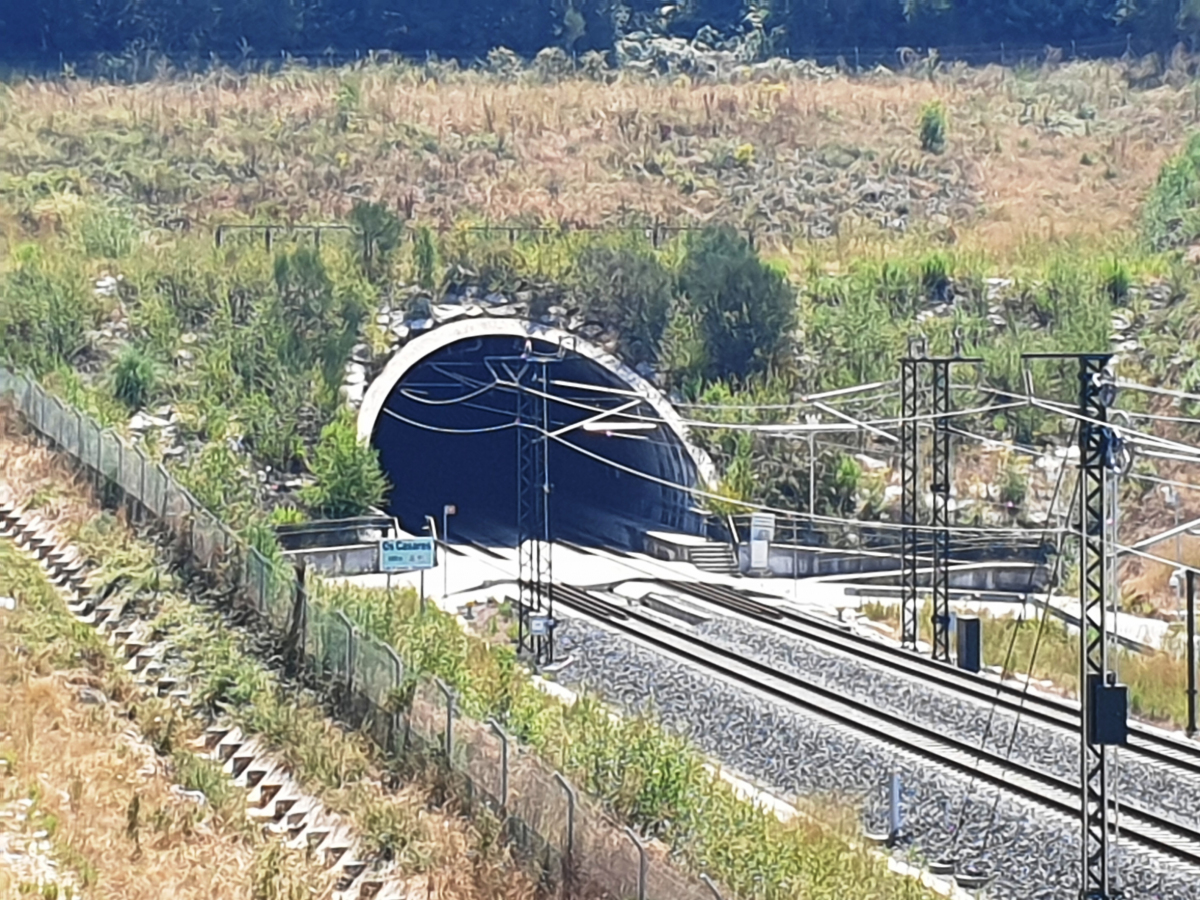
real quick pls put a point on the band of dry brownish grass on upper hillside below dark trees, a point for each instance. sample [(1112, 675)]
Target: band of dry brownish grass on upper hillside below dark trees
[(1052, 154)]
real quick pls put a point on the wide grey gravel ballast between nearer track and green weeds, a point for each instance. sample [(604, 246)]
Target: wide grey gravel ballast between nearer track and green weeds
[(1031, 853)]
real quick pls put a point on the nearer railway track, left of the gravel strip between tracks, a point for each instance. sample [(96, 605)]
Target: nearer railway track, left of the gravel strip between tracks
[(1149, 829)]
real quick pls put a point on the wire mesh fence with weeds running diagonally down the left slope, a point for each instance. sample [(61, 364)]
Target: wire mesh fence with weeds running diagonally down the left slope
[(579, 850)]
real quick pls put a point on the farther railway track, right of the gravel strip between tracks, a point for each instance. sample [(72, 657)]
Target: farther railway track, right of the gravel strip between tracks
[(1151, 745)]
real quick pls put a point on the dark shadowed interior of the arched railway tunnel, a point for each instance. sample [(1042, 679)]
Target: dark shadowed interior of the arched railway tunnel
[(447, 435)]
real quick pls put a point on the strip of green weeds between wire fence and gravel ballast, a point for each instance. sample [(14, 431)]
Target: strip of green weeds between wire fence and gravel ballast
[(646, 776)]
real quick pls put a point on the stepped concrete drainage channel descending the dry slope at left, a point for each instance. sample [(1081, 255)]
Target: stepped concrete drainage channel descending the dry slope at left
[(275, 800)]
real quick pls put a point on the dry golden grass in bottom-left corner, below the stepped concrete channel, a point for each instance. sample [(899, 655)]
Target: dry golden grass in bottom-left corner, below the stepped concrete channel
[(99, 799)]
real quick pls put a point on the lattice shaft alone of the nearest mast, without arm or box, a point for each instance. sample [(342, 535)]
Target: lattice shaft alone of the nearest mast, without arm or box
[(1096, 451)]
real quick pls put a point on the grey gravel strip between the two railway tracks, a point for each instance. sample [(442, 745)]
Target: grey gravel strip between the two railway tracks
[(1156, 787)]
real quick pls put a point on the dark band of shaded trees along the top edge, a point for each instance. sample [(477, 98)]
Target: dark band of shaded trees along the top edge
[(470, 29)]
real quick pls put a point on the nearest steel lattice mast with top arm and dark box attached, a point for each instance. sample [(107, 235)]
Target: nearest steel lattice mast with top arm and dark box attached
[(1105, 704)]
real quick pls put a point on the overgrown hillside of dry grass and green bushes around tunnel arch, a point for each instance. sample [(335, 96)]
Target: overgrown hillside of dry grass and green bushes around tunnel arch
[(227, 358)]
